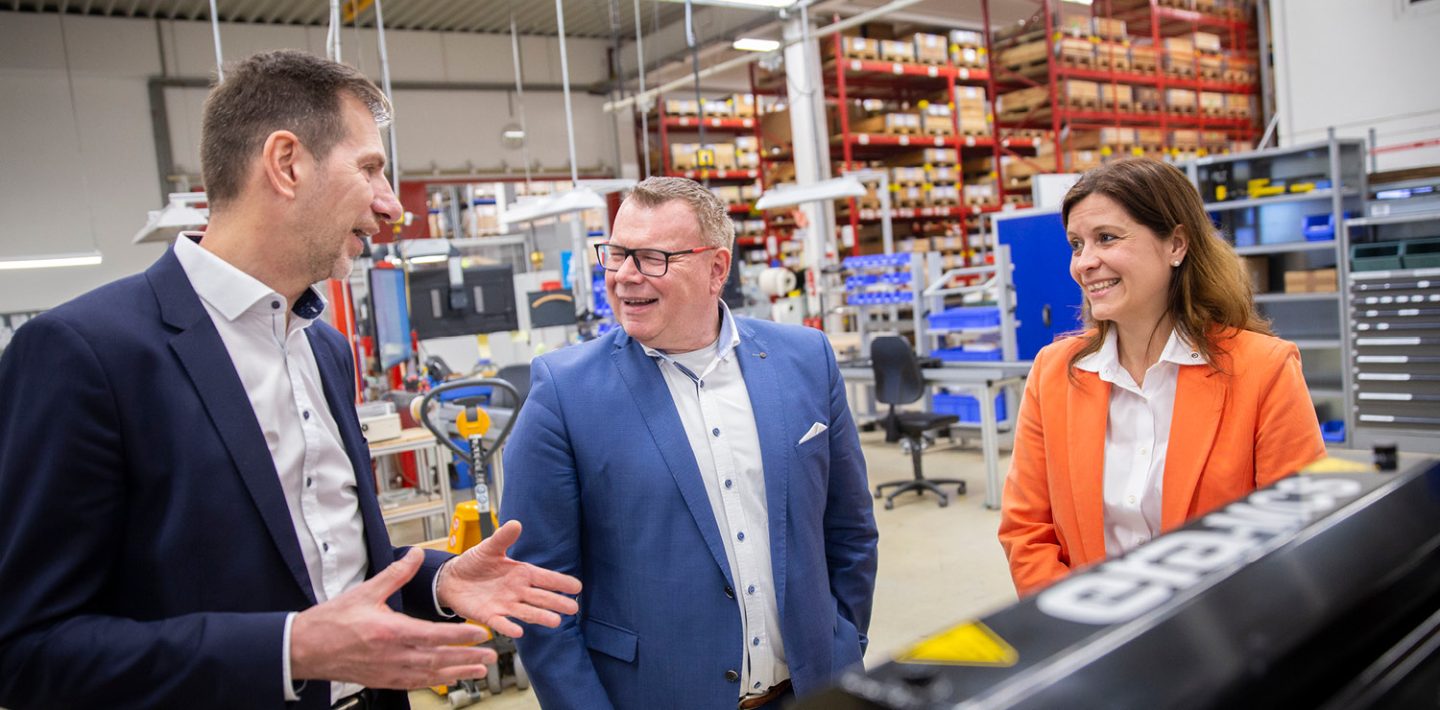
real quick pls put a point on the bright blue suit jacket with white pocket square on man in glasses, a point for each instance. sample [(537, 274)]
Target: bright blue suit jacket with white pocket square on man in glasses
[(603, 476)]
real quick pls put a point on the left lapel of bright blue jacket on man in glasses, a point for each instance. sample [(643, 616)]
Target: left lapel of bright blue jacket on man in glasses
[(653, 400)]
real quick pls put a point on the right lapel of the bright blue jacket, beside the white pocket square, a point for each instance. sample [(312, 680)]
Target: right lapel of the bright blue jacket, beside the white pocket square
[(775, 454)]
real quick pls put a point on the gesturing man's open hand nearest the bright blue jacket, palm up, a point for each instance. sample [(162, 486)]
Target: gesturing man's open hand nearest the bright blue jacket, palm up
[(487, 587)]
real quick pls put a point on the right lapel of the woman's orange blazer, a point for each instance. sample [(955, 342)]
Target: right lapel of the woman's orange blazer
[(1200, 397)]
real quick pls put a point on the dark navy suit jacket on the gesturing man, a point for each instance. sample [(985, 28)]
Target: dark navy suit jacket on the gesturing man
[(146, 551)]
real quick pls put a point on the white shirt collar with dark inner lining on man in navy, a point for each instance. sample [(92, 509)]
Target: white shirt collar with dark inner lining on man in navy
[(233, 292)]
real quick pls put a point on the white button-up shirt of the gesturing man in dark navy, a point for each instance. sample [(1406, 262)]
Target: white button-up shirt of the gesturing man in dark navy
[(273, 356)]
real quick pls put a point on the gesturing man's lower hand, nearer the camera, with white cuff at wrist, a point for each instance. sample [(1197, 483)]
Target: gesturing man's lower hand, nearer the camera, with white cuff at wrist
[(358, 639)]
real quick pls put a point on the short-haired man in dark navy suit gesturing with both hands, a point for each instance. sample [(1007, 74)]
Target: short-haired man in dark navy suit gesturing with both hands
[(188, 515)]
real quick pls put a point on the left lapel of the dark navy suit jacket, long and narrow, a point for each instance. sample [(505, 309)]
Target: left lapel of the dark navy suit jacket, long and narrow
[(208, 364)]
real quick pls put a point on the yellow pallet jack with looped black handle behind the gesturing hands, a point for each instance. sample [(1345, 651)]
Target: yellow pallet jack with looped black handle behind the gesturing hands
[(477, 519)]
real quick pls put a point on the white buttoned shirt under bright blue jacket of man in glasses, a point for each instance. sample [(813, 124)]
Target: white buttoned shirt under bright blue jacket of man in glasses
[(715, 407)]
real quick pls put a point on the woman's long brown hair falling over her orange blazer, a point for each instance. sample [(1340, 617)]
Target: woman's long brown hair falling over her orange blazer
[(1210, 292)]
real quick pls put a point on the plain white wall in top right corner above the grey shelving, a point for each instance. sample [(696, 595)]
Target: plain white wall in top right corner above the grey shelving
[(1354, 66)]
